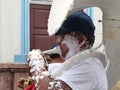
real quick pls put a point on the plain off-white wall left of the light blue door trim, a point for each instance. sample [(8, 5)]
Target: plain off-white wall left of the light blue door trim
[(10, 29)]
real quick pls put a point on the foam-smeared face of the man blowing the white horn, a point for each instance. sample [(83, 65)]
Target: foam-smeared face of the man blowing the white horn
[(68, 44)]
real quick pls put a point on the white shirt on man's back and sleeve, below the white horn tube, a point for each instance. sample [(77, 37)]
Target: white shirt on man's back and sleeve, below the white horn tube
[(88, 74)]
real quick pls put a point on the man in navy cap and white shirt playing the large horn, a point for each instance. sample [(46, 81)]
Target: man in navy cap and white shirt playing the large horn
[(75, 36)]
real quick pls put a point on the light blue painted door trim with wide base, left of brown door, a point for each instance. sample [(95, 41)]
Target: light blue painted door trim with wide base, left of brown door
[(24, 33)]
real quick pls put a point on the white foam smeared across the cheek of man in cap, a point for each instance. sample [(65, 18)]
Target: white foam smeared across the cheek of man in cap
[(73, 45)]
